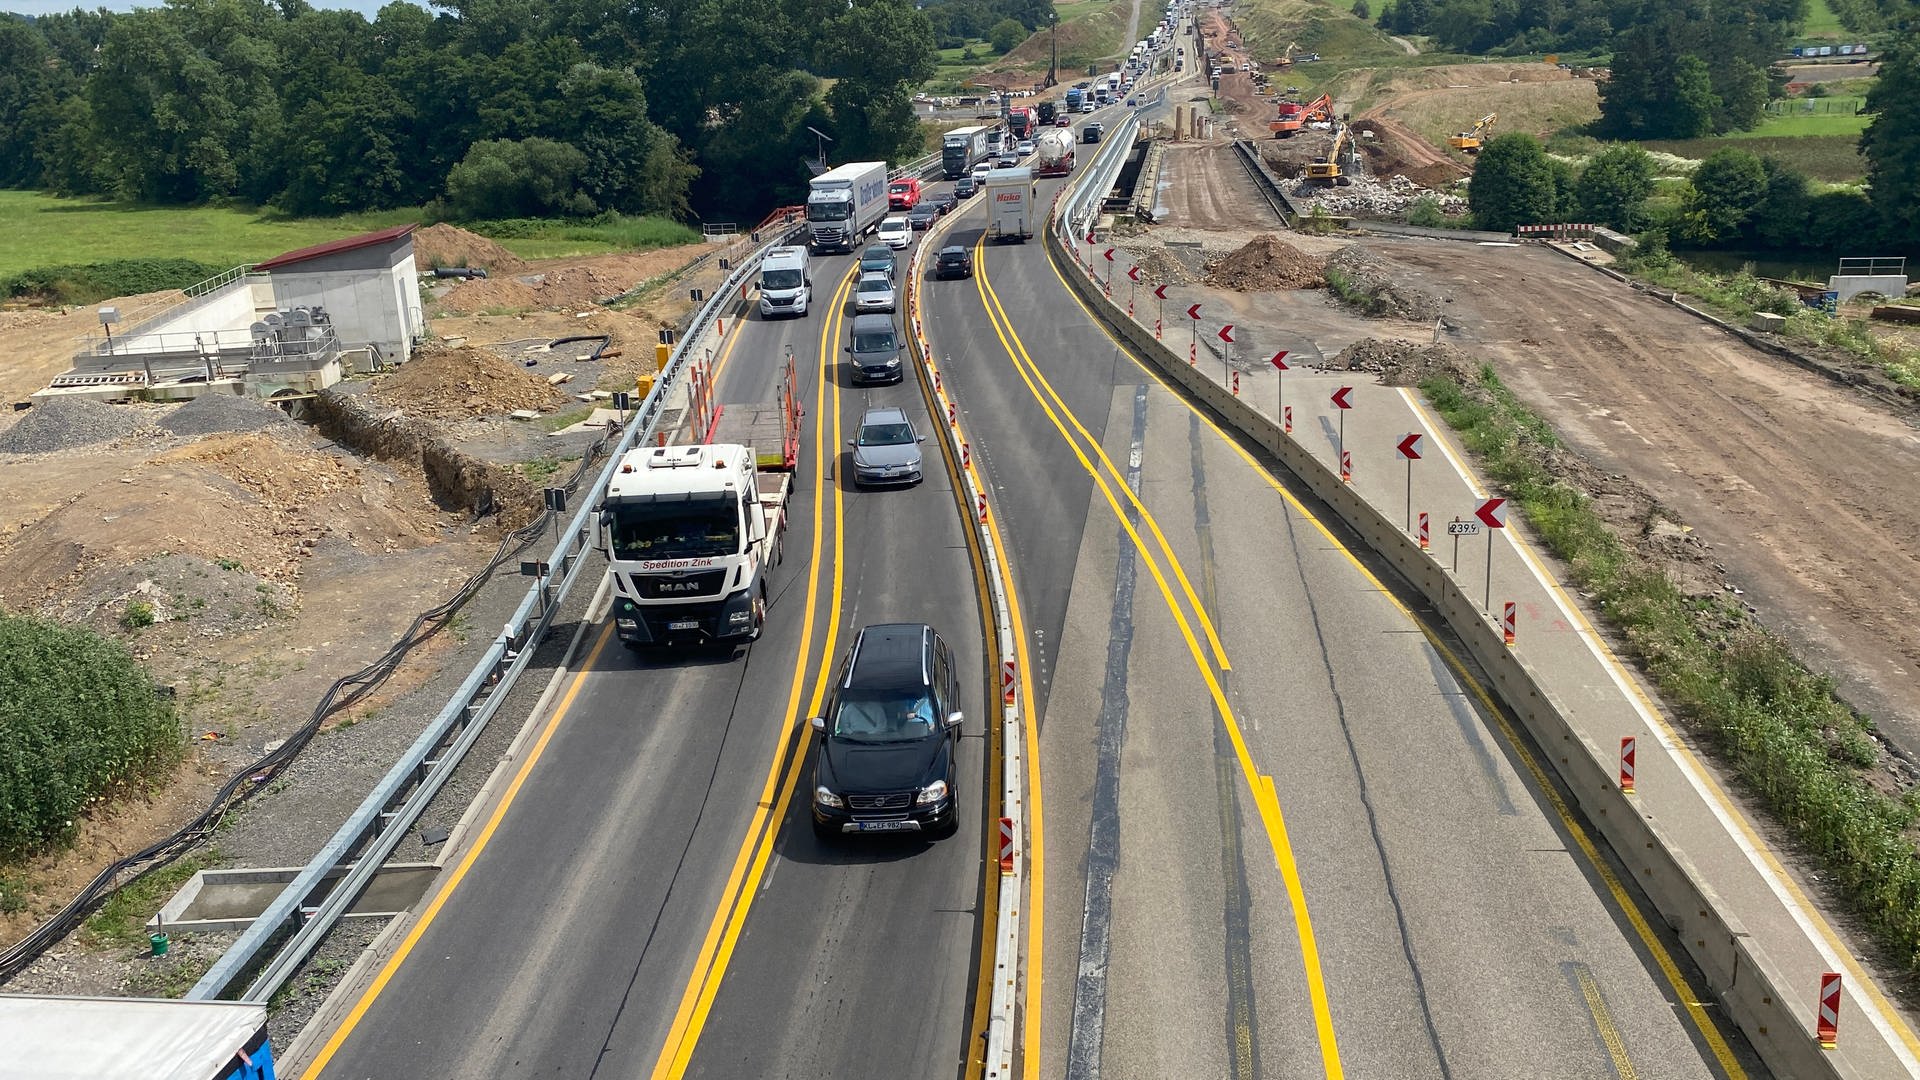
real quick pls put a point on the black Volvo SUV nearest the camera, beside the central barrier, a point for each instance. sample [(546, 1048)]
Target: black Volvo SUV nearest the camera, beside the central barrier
[(890, 737)]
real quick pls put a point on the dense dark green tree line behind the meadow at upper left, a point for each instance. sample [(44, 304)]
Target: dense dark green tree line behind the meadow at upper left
[(481, 107)]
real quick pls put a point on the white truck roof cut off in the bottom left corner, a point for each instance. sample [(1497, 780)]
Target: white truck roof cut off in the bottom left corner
[(124, 1039)]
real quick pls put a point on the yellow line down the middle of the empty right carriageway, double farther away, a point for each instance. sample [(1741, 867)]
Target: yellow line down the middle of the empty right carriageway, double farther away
[(1259, 785)]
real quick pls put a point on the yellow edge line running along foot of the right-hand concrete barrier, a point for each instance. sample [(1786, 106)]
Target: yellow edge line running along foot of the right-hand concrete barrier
[(1643, 929)]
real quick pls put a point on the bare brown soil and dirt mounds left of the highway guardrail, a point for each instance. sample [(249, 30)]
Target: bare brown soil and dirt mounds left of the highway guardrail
[(276, 560)]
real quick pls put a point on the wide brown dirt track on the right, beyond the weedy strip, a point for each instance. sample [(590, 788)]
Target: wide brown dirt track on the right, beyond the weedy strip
[(1808, 493)]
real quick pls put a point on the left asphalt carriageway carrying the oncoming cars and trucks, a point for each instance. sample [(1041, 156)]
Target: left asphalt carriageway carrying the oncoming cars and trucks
[(650, 898)]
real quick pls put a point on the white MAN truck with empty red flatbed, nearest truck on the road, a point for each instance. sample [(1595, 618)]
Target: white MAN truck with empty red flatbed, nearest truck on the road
[(692, 531)]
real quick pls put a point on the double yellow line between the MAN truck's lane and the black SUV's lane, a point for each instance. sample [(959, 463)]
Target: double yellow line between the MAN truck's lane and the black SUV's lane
[(706, 975)]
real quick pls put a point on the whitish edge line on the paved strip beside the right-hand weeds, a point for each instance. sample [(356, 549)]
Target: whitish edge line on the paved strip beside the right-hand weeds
[(1679, 749)]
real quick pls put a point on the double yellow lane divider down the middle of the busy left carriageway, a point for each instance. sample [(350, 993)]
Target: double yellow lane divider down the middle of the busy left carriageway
[(757, 845)]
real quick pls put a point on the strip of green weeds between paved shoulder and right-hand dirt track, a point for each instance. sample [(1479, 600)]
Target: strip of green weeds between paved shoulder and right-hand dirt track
[(1777, 724)]
